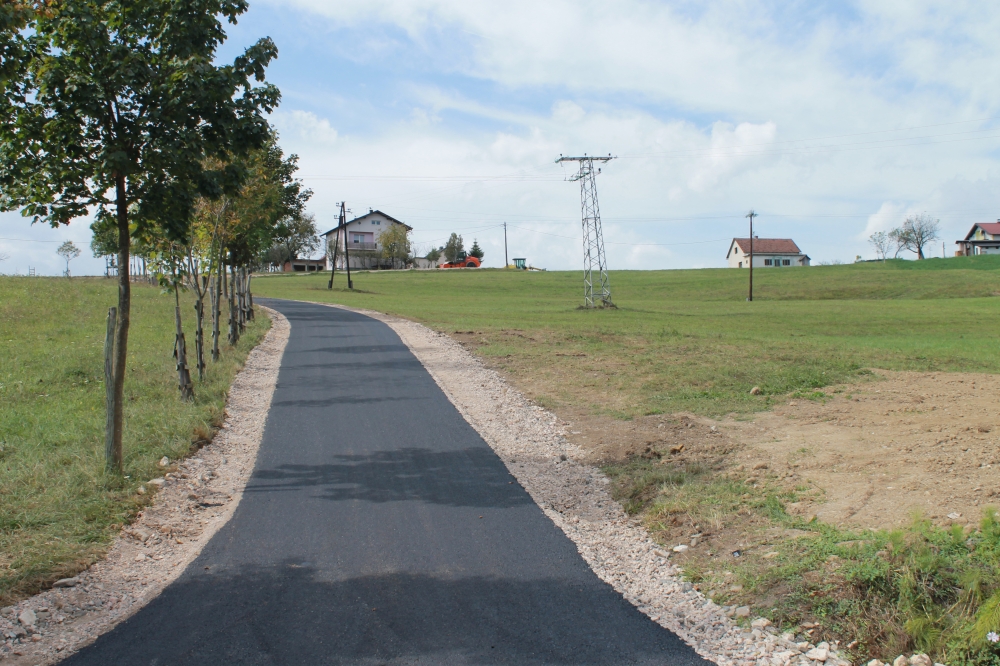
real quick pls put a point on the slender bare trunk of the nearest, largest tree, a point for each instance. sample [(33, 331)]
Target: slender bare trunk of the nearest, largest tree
[(124, 319)]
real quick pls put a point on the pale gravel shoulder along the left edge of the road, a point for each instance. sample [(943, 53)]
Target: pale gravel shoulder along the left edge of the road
[(194, 498)]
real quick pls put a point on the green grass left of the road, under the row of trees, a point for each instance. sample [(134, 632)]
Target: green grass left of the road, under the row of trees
[(59, 510)]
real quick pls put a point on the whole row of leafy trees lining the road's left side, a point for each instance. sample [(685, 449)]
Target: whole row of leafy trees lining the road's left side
[(121, 110)]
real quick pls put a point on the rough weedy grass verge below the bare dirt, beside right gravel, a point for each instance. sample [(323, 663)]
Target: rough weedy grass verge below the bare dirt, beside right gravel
[(922, 588)]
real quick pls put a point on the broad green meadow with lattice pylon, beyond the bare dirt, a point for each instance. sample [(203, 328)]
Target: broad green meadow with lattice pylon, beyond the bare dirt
[(687, 340)]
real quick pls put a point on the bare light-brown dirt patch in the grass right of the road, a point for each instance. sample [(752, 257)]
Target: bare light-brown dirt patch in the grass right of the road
[(908, 442)]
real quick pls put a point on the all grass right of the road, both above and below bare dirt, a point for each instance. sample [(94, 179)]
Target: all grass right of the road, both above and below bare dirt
[(687, 341)]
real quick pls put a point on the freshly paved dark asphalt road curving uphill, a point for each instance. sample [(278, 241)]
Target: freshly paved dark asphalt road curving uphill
[(379, 528)]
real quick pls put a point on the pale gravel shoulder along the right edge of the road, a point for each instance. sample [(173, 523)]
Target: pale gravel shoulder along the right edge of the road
[(533, 444)]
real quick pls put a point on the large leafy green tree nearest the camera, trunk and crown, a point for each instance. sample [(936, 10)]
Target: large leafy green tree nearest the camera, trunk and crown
[(114, 106)]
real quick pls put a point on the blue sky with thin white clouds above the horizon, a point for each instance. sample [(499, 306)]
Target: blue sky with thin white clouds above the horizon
[(832, 120)]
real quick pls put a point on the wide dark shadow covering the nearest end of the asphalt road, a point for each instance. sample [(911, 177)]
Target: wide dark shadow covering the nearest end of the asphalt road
[(293, 615)]
